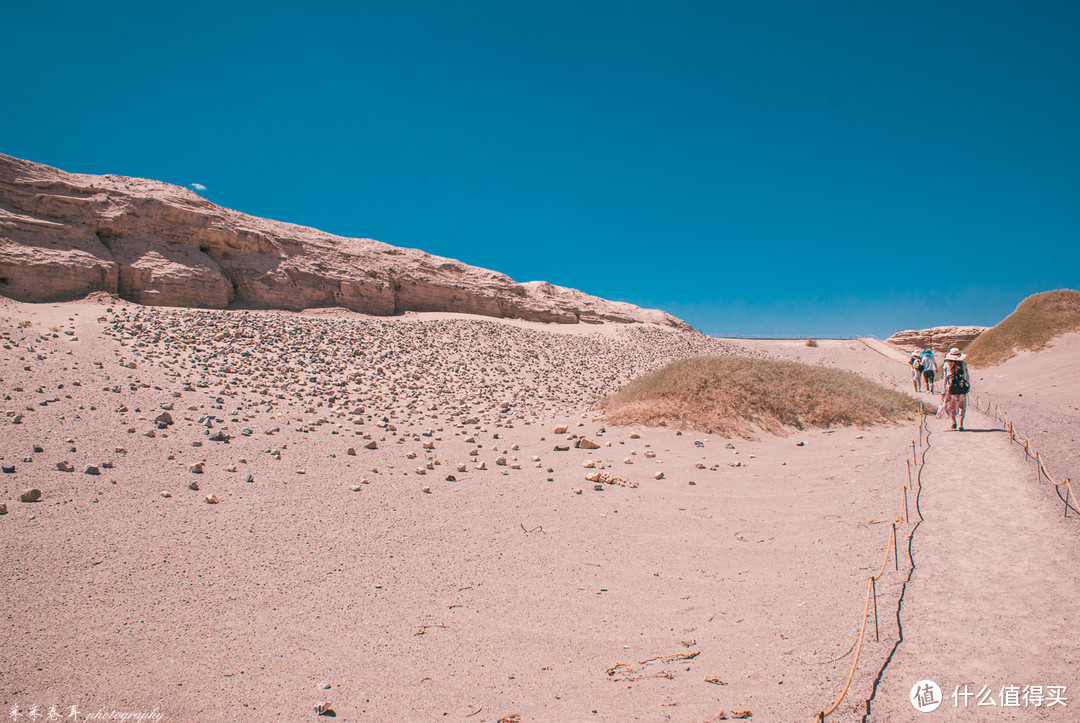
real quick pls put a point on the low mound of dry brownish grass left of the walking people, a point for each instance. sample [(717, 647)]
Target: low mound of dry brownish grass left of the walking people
[(737, 396)]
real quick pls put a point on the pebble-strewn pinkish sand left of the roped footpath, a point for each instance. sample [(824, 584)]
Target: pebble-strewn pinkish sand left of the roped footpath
[(453, 572)]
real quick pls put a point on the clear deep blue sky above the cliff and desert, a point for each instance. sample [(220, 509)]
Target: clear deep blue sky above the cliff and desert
[(827, 168)]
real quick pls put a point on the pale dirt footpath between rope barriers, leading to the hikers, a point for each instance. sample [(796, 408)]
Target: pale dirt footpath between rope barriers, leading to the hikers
[(990, 605)]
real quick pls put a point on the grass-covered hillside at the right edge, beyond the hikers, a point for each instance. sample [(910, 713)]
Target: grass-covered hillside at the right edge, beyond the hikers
[(1036, 322)]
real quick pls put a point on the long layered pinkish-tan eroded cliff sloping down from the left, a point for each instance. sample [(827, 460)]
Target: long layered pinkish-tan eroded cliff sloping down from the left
[(65, 235)]
